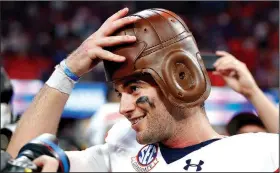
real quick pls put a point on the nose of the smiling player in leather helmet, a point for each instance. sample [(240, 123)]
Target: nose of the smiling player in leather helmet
[(127, 104)]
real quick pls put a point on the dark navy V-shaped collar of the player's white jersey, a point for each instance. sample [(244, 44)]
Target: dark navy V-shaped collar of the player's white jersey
[(172, 154)]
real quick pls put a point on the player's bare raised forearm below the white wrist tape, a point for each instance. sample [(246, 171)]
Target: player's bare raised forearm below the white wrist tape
[(42, 116)]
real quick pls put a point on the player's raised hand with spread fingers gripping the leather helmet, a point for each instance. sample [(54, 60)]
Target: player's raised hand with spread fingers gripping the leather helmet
[(91, 51)]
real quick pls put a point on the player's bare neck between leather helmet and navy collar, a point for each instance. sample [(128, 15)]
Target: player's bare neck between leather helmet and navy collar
[(193, 129)]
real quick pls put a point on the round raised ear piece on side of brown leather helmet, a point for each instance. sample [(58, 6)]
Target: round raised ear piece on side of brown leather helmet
[(183, 77)]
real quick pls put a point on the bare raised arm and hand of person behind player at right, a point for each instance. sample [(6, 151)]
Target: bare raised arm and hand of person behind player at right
[(238, 77)]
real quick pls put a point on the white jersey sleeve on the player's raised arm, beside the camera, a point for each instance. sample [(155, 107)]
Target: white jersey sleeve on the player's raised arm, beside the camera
[(93, 159)]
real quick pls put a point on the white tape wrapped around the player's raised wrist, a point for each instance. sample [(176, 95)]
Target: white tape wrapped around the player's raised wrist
[(60, 81)]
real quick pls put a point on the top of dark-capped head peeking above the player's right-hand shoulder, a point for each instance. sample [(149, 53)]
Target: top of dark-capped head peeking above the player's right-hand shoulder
[(245, 122)]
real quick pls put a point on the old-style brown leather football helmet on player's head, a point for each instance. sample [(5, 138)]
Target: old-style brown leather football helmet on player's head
[(166, 49)]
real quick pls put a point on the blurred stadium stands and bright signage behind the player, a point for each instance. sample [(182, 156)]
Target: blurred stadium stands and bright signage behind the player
[(35, 36)]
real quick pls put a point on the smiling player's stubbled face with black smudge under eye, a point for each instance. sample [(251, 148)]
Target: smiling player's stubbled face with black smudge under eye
[(143, 104)]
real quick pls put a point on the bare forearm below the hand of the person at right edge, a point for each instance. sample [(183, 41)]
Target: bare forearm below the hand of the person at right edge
[(268, 113)]
